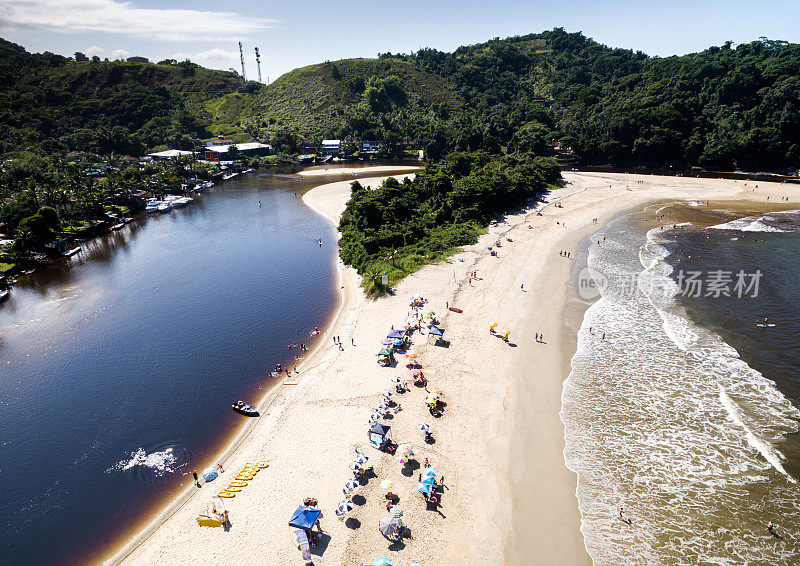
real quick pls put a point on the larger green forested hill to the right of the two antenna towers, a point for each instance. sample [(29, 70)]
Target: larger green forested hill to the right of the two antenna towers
[(722, 108)]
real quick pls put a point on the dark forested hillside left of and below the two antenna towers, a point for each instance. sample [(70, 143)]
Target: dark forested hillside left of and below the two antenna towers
[(55, 104)]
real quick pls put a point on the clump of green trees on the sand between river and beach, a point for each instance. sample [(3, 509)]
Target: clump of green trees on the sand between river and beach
[(398, 227)]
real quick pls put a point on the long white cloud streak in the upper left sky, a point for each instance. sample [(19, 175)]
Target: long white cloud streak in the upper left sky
[(112, 16)]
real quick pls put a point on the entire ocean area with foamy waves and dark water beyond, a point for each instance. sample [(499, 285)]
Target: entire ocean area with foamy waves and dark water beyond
[(681, 406)]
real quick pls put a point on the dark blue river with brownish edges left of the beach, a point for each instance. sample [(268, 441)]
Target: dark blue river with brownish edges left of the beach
[(120, 364)]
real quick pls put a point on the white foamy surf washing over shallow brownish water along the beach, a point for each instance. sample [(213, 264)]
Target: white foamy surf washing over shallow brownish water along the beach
[(664, 418)]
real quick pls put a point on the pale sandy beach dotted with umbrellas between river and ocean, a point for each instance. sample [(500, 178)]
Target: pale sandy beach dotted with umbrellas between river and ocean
[(509, 497)]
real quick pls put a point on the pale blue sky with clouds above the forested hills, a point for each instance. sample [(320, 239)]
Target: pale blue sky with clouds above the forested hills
[(292, 34)]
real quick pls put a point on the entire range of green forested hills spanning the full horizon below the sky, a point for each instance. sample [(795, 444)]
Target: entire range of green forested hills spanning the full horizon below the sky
[(726, 107)]
